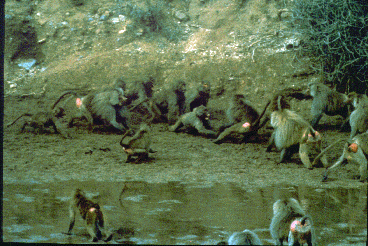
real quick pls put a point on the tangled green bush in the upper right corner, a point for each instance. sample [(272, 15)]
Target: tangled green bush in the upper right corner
[(336, 35)]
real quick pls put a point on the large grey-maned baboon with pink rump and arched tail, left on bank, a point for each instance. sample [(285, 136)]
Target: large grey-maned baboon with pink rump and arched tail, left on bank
[(106, 105)]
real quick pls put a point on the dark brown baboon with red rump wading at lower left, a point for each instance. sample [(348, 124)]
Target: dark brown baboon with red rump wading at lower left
[(91, 214)]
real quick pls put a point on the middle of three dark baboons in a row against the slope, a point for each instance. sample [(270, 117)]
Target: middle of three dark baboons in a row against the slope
[(169, 103)]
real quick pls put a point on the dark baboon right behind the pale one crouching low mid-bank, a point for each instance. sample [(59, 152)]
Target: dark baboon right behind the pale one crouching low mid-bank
[(197, 96)]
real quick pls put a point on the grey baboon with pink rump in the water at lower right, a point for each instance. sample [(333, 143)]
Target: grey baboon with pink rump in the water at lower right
[(291, 223)]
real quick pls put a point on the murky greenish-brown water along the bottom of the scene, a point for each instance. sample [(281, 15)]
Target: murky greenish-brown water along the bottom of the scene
[(177, 213)]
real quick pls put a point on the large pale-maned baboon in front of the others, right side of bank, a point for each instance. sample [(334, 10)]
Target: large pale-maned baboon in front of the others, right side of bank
[(292, 132)]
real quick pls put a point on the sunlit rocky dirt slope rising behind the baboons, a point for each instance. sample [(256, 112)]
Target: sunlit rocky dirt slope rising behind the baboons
[(240, 46)]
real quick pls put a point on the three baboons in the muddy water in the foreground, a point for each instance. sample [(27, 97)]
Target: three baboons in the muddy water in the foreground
[(289, 223)]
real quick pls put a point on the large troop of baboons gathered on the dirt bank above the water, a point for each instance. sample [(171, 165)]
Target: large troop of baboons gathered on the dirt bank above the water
[(186, 108)]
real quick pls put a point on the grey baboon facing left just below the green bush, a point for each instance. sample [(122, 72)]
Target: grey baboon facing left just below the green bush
[(328, 101)]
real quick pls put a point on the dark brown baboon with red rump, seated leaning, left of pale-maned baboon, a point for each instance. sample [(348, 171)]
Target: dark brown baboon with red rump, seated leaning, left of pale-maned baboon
[(243, 119)]
